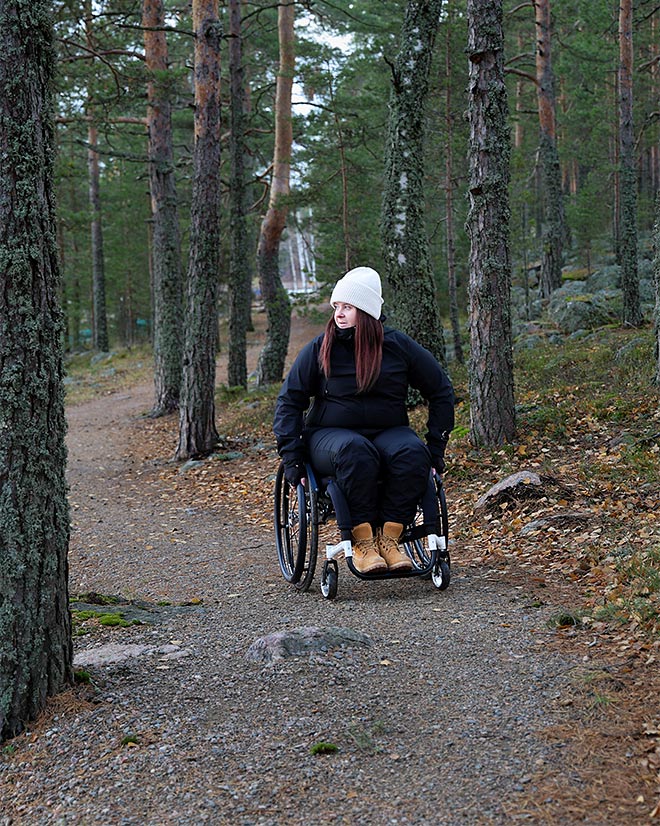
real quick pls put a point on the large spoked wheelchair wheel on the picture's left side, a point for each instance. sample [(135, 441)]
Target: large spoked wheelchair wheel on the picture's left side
[(296, 531)]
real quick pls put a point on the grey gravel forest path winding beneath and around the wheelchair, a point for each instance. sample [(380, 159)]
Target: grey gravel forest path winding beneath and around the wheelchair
[(461, 710)]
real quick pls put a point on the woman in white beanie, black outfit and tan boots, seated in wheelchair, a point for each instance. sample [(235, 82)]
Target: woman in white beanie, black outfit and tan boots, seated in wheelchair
[(357, 375)]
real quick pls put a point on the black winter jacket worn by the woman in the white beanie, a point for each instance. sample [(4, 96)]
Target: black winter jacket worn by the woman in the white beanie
[(336, 402)]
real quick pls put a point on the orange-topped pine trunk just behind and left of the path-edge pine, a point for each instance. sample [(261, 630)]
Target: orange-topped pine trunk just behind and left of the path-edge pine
[(166, 244)]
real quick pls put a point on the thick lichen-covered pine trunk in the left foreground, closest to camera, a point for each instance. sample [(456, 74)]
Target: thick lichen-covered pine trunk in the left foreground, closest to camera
[(35, 625)]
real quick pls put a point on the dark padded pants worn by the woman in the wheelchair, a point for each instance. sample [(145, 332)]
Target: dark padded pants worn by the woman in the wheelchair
[(397, 457)]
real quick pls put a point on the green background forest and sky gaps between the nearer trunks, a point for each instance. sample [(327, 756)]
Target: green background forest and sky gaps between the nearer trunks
[(343, 75)]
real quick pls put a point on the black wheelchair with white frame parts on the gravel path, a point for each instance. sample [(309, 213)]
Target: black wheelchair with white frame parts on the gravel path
[(301, 512)]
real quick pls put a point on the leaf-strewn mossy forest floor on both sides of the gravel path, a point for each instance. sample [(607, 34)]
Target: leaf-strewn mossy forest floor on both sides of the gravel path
[(587, 540)]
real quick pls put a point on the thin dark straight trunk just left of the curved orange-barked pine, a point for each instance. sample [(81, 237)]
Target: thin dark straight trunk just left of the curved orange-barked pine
[(240, 291)]
